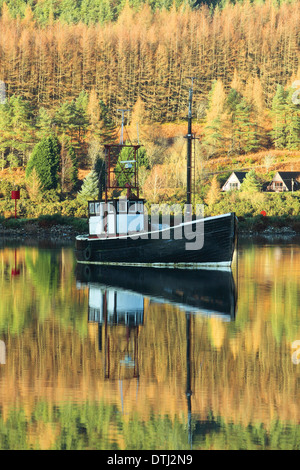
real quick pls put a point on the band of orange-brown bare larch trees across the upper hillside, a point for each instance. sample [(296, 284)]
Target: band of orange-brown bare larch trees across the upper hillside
[(149, 54)]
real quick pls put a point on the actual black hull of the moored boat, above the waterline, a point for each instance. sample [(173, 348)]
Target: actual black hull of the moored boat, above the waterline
[(218, 247)]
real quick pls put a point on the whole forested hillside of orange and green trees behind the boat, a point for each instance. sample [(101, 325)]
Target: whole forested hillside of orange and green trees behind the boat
[(67, 67)]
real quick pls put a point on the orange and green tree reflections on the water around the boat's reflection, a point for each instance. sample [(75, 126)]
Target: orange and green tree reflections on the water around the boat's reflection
[(245, 386)]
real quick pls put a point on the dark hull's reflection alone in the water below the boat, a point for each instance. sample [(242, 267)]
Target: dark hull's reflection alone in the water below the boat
[(211, 291)]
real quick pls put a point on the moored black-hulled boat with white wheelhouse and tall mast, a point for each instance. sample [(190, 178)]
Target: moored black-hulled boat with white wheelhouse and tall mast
[(121, 232)]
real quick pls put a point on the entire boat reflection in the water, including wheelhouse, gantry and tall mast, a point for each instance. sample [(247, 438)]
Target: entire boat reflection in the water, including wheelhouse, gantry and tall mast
[(117, 300)]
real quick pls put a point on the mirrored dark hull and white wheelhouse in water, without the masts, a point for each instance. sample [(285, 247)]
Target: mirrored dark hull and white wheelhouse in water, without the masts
[(207, 292)]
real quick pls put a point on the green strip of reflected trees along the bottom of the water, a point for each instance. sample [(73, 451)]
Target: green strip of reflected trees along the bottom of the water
[(89, 426)]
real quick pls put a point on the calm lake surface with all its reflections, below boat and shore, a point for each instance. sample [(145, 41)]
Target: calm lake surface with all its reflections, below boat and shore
[(108, 359)]
